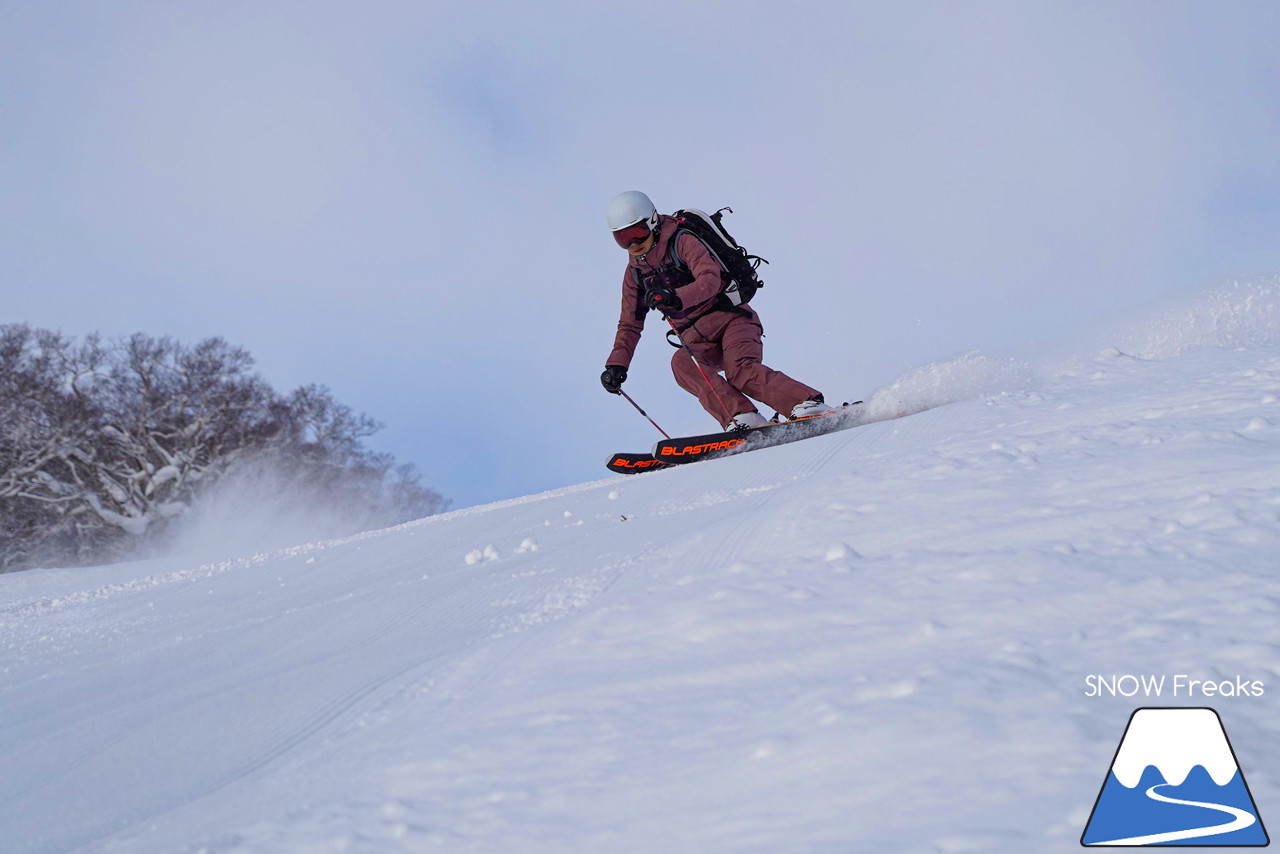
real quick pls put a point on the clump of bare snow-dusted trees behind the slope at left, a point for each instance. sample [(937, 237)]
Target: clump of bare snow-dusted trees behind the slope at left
[(102, 446)]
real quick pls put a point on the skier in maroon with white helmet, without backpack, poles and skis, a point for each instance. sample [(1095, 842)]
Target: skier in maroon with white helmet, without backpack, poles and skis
[(721, 337)]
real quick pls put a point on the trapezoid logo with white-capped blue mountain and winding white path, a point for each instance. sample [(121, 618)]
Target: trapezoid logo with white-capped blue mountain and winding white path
[(1176, 782)]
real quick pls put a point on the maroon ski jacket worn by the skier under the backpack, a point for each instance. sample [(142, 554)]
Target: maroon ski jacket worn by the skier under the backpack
[(698, 298)]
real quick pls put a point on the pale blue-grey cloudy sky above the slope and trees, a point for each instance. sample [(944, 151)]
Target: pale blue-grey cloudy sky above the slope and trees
[(406, 200)]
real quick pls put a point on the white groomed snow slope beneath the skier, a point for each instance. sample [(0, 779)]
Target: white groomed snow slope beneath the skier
[(875, 641)]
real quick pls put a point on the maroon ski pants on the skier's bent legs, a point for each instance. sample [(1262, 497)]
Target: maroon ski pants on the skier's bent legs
[(735, 349)]
